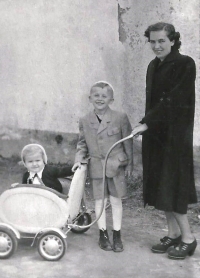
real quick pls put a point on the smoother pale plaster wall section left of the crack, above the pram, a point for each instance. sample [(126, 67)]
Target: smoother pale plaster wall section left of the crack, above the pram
[(51, 52)]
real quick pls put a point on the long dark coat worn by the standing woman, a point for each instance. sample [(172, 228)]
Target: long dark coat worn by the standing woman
[(168, 142)]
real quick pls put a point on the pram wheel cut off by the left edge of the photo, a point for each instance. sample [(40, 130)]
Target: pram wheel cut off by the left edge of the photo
[(8, 243)]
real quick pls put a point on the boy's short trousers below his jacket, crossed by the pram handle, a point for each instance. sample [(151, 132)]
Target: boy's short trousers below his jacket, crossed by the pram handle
[(116, 187)]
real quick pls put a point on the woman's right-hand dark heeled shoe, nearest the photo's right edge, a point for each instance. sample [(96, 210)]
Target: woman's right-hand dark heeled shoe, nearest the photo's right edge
[(182, 251)]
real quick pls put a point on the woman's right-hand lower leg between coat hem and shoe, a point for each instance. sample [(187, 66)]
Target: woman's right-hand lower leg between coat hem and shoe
[(183, 223)]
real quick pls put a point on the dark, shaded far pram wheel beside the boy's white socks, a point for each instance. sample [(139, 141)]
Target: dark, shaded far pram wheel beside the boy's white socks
[(82, 220)]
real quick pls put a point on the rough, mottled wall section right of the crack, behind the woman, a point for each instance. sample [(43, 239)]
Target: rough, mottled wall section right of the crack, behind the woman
[(134, 17)]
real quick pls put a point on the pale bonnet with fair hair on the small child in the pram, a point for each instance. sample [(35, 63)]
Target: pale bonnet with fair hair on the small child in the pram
[(31, 149)]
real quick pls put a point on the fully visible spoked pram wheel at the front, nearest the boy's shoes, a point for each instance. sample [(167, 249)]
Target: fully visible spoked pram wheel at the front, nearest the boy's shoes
[(51, 246)]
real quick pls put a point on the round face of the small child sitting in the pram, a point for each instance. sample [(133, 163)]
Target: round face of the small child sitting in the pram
[(34, 163)]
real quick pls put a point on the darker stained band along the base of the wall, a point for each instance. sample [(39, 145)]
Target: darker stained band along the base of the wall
[(61, 148)]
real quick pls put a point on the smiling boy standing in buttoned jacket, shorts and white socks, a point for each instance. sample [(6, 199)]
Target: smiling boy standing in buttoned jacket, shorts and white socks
[(99, 130)]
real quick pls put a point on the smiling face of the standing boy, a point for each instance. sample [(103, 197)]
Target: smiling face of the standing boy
[(101, 99)]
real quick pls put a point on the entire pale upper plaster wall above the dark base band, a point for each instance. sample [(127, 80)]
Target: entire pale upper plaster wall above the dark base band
[(51, 52)]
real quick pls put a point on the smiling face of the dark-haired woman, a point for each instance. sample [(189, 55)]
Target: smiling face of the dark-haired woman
[(160, 44)]
